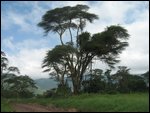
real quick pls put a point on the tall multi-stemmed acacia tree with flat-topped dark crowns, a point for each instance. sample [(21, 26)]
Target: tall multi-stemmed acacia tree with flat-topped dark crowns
[(106, 45)]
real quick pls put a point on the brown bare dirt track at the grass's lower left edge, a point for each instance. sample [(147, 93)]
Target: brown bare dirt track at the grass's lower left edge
[(18, 107)]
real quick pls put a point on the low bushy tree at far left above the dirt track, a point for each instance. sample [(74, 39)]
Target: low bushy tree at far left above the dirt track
[(19, 86)]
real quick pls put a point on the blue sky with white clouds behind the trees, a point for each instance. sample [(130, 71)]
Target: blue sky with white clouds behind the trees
[(25, 44)]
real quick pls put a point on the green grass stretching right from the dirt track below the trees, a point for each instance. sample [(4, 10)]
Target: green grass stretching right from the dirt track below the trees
[(100, 103)]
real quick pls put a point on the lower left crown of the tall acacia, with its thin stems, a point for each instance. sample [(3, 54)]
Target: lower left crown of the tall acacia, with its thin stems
[(55, 62)]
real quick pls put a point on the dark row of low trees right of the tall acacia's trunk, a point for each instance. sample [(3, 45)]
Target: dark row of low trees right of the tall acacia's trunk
[(122, 82)]
